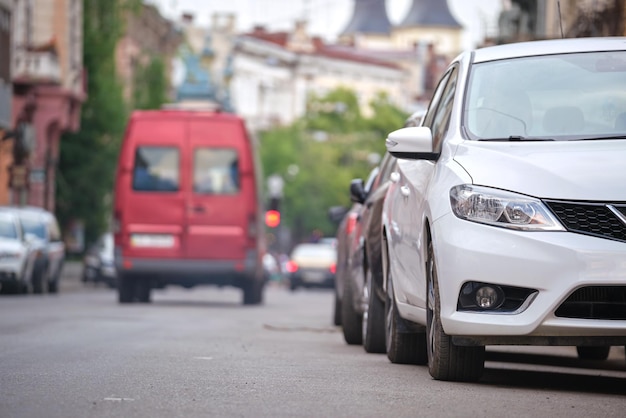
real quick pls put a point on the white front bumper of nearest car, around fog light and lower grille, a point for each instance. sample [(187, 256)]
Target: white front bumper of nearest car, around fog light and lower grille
[(553, 263)]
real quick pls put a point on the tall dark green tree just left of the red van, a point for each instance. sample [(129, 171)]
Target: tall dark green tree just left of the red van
[(88, 158)]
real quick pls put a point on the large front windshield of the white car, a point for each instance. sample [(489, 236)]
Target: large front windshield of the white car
[(553, 97)]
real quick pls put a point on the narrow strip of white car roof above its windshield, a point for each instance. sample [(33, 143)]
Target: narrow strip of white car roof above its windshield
[(549, 47)]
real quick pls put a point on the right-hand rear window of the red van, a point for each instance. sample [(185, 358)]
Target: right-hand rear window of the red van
[(215, 171)]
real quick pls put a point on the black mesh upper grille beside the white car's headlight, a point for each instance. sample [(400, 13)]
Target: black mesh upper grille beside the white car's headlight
[(604, 220)]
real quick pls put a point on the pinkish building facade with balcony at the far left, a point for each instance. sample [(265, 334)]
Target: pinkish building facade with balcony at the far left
[(48, 92)]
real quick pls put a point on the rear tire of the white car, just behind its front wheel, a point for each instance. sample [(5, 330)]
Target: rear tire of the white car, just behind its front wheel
[(403, 346)]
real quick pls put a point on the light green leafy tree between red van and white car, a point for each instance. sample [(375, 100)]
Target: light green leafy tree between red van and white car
[(330, 146)]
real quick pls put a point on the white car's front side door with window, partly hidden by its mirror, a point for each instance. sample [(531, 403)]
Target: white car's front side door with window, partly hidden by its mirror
[(410, 211)]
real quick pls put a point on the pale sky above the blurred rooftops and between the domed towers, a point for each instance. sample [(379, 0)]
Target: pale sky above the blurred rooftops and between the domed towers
[(327, 18)]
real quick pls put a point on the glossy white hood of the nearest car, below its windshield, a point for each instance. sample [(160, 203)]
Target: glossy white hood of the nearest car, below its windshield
[(576, 170)]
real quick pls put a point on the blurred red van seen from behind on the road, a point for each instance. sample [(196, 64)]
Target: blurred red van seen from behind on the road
[(187, 207)]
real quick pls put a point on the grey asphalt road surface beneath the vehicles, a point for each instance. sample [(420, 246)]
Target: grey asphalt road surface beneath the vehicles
[(200, 353)]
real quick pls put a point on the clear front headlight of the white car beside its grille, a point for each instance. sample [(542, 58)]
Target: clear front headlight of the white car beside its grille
[(500, 208)]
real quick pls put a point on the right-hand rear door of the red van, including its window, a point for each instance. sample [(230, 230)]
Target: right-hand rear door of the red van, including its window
[(217, 204)]
